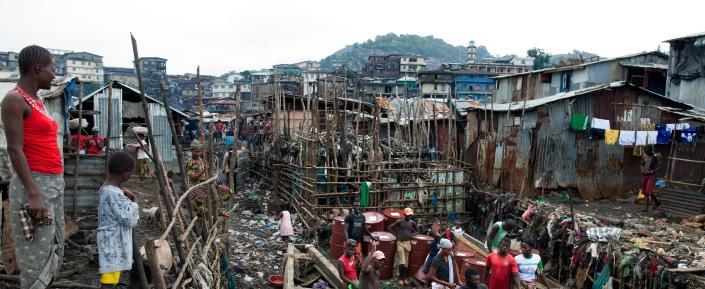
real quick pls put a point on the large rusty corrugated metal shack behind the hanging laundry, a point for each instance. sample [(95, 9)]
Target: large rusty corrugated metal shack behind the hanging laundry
[(525, 145)]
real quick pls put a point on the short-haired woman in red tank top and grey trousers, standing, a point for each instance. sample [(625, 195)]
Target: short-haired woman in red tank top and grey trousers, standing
[(37, 187)]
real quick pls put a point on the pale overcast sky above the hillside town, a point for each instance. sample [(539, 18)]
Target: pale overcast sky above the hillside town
[(221, 36)]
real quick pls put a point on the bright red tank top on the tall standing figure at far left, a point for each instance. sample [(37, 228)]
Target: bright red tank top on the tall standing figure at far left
[(40, 138)]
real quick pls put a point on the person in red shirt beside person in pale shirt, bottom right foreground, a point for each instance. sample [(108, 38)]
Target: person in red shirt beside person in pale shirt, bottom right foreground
[(502, 268)]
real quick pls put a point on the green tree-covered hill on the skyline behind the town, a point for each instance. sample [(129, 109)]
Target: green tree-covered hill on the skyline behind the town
[(435, 50)]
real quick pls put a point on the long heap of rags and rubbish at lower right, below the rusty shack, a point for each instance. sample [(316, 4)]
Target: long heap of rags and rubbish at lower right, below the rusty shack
[(584, 251)]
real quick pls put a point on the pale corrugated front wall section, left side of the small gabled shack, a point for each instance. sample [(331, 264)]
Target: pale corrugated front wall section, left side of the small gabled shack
[(101, 120)]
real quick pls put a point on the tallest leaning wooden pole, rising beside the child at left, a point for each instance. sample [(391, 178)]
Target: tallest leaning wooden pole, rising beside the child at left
[(161, 174)]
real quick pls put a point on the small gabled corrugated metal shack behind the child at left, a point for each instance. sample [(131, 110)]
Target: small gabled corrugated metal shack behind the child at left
[(126, 110)]
